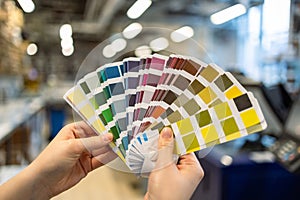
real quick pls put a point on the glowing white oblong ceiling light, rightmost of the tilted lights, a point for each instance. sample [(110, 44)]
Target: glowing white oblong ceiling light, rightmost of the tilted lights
[(228, 14)]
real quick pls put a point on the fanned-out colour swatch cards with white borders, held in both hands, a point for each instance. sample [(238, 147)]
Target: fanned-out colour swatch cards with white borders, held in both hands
[(136, 97)]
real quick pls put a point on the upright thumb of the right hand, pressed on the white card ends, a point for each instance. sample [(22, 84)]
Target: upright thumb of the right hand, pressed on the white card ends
[(165, 148)]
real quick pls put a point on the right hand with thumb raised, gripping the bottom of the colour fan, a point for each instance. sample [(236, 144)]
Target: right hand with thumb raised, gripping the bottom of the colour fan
[(172, 180)]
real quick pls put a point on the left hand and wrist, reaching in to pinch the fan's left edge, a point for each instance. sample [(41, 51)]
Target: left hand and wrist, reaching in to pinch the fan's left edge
[(62, 164)]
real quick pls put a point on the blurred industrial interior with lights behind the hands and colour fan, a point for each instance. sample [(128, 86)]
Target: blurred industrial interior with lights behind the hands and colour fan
[(44, 43)]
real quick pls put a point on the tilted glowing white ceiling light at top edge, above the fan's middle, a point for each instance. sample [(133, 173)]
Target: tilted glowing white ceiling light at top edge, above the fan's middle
[(138, 8)]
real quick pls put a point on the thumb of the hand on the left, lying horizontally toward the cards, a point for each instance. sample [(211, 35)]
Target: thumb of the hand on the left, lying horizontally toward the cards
[(96, 142)]
